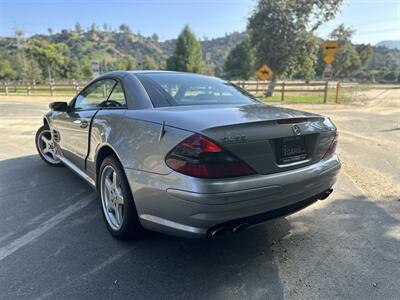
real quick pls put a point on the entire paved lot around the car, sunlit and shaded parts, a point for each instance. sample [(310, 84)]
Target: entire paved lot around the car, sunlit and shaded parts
[(54, 244)]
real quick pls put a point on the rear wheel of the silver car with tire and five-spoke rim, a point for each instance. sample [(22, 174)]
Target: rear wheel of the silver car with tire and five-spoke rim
[(127, 225)]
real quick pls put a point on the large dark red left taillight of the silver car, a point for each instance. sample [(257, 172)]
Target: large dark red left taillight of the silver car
[(198, 156)]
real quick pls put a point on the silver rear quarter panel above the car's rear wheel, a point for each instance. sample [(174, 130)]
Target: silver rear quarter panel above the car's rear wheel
[(136, 142)]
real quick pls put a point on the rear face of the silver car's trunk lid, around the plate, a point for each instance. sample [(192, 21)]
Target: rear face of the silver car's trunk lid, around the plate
[(262, 145)]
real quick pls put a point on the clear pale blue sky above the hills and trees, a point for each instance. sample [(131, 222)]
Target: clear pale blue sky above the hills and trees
[(373, 21)]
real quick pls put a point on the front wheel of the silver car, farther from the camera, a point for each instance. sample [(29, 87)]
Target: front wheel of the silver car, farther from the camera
[(45, 146)]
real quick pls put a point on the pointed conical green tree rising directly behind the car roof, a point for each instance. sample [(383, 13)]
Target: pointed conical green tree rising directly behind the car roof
[(188, 56)]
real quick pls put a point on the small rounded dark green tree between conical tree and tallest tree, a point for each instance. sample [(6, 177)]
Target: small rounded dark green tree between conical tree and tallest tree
[(240, 62)]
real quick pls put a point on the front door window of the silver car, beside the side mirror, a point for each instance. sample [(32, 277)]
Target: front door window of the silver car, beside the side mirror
[(95, 94)]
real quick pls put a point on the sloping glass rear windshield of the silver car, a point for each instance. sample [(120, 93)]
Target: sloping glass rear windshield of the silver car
[(173, 89)]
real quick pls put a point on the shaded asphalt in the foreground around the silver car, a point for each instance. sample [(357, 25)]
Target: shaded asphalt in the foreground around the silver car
[(344, 247)]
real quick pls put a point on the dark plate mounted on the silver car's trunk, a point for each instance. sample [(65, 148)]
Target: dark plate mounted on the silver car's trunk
[(290, 149)]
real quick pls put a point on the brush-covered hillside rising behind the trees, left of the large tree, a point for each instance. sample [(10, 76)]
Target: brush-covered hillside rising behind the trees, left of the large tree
[(111, 47)]
